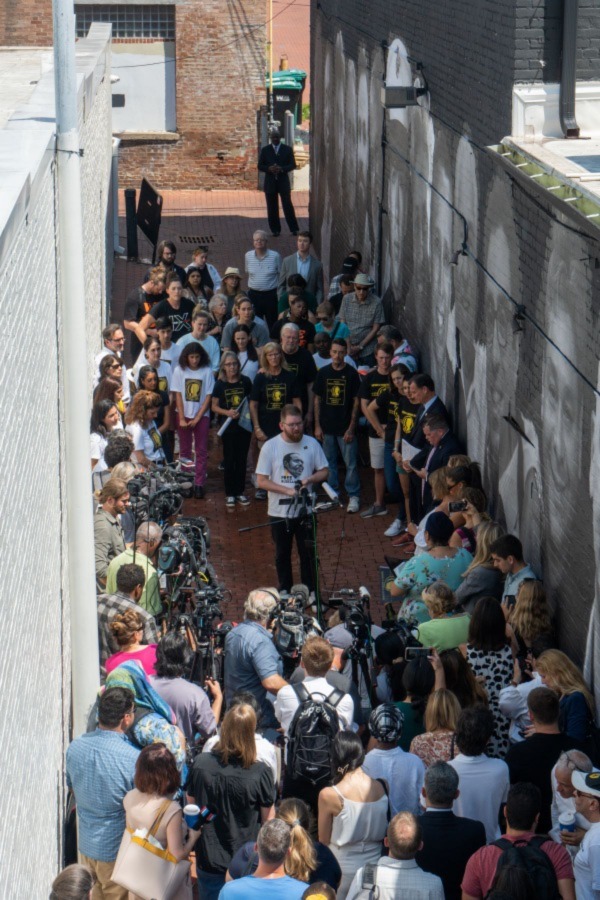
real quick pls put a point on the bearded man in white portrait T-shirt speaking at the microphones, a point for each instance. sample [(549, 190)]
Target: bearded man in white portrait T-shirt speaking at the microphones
[(289, 465)]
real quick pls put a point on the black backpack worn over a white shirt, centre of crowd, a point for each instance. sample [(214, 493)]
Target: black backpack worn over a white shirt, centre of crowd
[(313, 728)]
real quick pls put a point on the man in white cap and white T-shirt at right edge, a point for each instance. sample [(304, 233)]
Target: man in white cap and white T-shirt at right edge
[(587, 862)]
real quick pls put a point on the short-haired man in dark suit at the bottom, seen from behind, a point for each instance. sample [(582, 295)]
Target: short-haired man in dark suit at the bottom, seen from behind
[(448, 840)]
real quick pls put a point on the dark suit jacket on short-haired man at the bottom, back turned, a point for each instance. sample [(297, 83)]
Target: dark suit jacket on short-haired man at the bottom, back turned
[(448, 843)]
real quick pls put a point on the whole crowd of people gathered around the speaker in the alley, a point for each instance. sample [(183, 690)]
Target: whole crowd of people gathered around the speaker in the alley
[(458, 760)]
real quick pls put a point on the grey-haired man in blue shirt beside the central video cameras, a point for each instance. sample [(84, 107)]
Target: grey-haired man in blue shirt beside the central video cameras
[(251, 660)]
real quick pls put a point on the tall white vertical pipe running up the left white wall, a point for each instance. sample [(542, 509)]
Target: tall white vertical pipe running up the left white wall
[(74, 365)]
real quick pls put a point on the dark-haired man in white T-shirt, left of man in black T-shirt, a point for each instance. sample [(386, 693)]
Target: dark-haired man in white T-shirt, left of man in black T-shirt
[(484, 782)]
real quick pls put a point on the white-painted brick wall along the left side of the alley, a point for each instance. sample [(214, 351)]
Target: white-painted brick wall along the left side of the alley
[(35, 675)]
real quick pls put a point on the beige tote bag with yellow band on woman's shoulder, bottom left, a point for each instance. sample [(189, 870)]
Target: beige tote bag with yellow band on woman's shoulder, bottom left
[(147, 870)]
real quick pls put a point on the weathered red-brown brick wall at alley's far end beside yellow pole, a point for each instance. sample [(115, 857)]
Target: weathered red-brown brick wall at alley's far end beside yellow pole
[(220, 87)]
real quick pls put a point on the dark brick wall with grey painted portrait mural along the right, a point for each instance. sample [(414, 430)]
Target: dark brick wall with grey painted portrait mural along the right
[(542, 479)]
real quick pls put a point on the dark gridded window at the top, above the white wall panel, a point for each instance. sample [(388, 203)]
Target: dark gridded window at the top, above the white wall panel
[(128, 21)]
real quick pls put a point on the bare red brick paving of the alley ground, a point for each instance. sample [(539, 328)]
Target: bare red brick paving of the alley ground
[(350, 548)]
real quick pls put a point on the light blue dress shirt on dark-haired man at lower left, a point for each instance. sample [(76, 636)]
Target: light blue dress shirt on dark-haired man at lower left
[(100, 769)]
